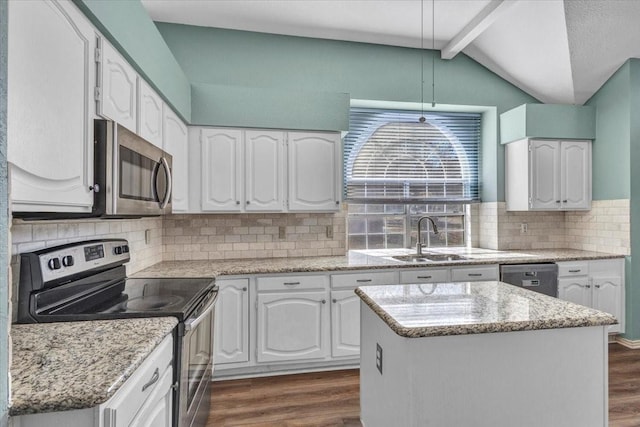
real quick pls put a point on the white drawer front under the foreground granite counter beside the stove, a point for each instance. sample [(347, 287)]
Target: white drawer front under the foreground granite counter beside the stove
[(132, 396)]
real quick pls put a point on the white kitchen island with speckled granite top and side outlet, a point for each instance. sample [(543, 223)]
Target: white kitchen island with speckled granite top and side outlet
[(480, 354)]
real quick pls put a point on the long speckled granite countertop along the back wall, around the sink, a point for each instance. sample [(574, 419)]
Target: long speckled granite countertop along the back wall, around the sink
[(358, 260)]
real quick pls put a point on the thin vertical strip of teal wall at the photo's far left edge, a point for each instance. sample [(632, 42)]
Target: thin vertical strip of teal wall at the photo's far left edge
[(4, 222)]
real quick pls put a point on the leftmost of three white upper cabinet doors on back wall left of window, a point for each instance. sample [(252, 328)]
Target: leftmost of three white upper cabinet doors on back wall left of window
[(221, 156)]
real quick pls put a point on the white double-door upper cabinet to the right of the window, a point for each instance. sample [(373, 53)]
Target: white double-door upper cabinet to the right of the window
[(548, 175)]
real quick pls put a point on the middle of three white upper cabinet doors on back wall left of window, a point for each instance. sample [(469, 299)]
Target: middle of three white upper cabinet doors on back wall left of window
[(264, 171)]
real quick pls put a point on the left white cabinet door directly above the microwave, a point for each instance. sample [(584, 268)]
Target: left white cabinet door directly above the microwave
[(118, 83)]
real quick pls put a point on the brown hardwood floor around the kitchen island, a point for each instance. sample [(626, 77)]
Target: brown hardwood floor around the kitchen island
[(332, 398)]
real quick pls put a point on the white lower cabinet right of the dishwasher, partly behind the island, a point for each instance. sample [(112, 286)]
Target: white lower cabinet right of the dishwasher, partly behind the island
[(598, 284)]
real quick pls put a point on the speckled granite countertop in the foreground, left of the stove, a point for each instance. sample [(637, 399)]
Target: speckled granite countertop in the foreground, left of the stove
[(76, 365)]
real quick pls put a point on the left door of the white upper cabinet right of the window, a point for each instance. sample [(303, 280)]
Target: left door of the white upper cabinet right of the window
[(544, 169)]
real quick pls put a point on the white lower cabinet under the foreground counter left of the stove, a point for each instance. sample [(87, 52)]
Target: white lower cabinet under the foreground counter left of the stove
[(145, 399)]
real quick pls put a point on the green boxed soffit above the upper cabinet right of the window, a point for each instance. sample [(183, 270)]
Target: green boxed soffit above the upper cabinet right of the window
[(548, 121)]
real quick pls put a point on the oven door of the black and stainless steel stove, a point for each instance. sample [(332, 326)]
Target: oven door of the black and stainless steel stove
[(197, 367)]
